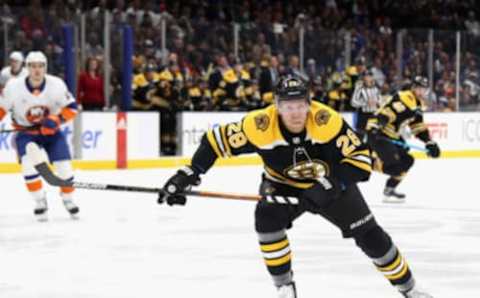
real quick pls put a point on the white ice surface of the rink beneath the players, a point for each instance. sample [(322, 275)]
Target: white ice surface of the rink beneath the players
[(125, 245)]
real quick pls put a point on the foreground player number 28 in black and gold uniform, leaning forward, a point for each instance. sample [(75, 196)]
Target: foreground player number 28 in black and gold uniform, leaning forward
[(311, 153)]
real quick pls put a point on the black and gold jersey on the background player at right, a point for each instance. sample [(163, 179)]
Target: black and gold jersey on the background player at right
[(403, 109)]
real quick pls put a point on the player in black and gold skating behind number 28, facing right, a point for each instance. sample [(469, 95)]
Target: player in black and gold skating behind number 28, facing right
[(405, 108)]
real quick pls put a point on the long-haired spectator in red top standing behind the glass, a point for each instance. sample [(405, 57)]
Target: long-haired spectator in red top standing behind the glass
[(90, 94)]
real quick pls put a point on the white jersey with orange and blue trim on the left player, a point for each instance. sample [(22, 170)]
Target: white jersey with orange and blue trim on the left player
[(30, 105)]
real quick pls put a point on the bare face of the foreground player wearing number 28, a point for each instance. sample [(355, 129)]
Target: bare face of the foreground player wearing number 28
[(294, 114)]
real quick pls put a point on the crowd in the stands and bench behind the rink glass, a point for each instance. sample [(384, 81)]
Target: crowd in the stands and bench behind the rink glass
[(200, 71)]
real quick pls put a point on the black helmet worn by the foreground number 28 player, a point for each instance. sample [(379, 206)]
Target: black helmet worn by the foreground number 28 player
[(291, 87)]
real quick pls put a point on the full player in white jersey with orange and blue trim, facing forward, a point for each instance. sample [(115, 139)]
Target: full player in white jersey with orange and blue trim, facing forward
[(39, 103)]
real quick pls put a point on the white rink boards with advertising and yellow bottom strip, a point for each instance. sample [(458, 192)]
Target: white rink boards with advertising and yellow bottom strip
[(458, 135)]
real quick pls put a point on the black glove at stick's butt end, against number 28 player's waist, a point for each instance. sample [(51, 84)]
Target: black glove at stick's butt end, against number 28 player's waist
[(320, 195)]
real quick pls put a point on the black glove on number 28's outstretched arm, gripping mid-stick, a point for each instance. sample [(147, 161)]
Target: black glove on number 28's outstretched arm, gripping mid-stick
[(174, 189)]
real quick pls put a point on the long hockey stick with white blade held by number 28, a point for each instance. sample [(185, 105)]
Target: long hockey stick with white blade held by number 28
[(40, 164)]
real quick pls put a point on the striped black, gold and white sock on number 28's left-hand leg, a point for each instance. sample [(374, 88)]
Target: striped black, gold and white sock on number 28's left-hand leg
[(277, 255)]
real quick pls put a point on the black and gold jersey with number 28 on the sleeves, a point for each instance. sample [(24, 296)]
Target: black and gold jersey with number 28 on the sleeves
[(328, 147)]
